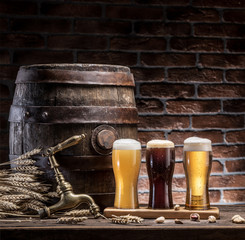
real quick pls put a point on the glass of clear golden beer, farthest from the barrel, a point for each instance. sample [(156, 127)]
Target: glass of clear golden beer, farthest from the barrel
[(197, 164)]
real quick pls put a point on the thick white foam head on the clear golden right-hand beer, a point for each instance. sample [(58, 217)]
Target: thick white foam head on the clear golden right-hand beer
[(197, 144)]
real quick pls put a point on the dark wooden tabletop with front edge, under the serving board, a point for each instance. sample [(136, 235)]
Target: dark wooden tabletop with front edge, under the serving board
[(36, 229)]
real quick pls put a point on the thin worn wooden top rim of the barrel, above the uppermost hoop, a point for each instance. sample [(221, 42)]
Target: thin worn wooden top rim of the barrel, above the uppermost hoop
[(79, 67)]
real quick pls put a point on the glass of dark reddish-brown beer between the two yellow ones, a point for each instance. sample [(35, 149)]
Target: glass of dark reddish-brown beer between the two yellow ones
[(160, 160)]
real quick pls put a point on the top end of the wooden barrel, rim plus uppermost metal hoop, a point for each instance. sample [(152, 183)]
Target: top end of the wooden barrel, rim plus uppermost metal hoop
[(85, 74)]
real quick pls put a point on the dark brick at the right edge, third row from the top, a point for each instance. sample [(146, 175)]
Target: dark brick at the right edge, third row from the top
[(219, 30)]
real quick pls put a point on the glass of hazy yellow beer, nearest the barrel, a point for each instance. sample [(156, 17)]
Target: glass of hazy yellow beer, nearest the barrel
[(126, 159)]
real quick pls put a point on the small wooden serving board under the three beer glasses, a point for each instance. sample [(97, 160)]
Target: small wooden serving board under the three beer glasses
[(167, 213)]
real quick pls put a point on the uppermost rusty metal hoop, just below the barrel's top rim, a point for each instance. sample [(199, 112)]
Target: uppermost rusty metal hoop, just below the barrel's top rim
[(75, 77)]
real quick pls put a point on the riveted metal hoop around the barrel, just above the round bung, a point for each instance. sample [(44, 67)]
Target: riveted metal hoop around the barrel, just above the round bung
[(73, 114)]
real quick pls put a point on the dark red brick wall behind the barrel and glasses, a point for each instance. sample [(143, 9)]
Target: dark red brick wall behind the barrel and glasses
[(187, 57)]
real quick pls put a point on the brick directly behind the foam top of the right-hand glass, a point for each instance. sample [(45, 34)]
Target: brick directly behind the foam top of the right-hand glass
[(179, 137)]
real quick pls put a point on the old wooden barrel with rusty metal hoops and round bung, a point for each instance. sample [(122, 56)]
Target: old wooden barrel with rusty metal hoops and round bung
[(56, 101)]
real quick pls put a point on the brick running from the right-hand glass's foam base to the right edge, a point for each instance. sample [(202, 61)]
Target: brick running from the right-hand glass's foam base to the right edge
[(228, 151)]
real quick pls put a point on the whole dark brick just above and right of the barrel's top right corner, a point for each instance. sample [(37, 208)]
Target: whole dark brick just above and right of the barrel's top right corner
[(168, 59)]
